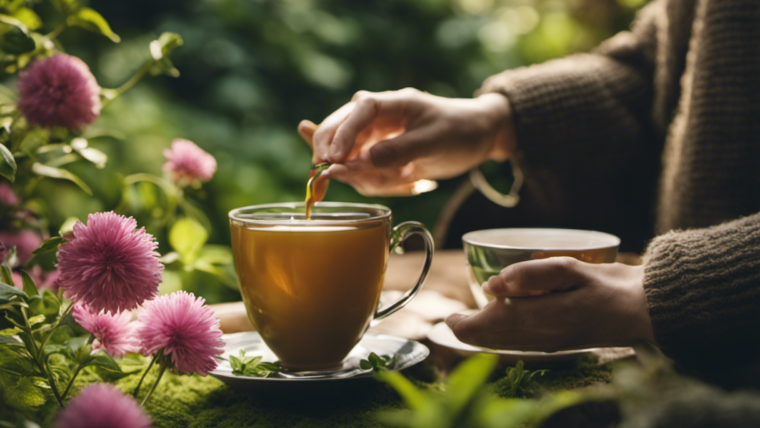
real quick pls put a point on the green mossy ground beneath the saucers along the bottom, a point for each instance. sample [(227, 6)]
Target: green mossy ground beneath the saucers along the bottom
[(195, 401)]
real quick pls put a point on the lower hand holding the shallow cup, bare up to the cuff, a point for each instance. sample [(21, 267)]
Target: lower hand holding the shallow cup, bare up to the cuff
[(560, 303)]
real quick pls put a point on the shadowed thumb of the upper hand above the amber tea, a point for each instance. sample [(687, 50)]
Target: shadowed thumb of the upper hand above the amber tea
[(399, 151)]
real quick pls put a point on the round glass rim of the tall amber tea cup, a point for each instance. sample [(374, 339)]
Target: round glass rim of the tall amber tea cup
[(234, 215)]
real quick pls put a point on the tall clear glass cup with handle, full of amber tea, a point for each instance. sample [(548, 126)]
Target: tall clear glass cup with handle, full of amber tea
[(311, 287)]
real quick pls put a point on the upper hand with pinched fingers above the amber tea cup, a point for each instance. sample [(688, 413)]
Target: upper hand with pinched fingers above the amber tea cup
[(382, 143)]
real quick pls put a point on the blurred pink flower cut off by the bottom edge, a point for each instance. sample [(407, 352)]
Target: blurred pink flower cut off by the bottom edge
[(101, 405)]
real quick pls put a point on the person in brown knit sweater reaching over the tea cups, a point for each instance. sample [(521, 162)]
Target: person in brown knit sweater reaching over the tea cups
[(681, 88)]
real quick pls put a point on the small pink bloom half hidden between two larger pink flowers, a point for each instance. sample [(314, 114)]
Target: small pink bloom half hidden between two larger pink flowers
[(114, 333)]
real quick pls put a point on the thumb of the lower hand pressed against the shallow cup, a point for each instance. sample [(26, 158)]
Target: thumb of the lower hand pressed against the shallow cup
[(537, 276)]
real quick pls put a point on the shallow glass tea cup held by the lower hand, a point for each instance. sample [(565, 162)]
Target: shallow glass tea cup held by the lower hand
[(489, 251)]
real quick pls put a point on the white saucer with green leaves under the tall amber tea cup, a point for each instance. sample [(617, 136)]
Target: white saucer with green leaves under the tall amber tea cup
[(407, 352)]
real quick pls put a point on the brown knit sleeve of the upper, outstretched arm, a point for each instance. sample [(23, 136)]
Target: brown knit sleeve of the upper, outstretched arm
[(586, 107)]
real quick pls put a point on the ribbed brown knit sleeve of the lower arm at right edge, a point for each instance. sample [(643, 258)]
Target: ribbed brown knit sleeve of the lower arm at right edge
[(703, 291)]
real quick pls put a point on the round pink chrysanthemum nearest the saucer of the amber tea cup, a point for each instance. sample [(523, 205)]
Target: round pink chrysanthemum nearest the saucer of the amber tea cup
[(187, 330)]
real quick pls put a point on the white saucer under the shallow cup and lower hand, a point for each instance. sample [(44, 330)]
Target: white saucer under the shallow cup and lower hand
[(442, 335)]
